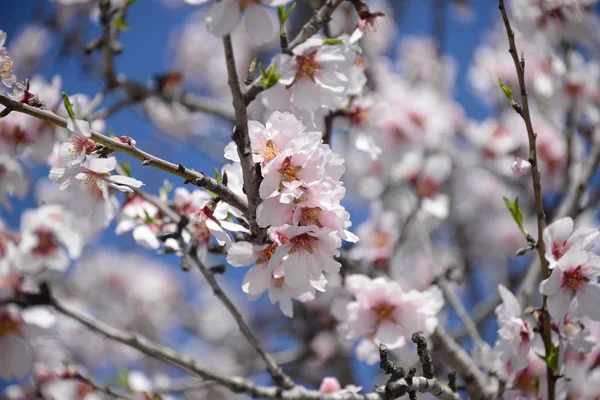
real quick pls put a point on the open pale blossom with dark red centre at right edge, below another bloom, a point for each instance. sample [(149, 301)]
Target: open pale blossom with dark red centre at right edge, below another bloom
[(575, 275)]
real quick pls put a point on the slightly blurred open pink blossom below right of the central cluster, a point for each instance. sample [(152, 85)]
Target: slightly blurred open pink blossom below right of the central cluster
[(383, 312)]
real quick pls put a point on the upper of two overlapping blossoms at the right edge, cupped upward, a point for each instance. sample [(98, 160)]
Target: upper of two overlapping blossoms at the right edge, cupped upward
[(559, 238)]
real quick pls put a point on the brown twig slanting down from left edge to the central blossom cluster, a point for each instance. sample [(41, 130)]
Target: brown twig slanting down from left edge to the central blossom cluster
[(195, 177)]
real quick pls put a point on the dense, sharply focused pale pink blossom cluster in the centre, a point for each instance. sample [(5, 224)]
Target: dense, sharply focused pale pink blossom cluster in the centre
[(301, 192)]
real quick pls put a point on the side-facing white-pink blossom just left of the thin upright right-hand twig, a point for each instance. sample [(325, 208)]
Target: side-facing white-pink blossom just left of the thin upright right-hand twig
[(515, 334)]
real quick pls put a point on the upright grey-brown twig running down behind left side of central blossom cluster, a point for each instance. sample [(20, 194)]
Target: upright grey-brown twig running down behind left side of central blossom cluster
[(244, 147)]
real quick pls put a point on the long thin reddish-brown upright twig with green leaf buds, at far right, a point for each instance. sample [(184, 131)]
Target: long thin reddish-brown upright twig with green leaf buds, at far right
[(537, 188)]
